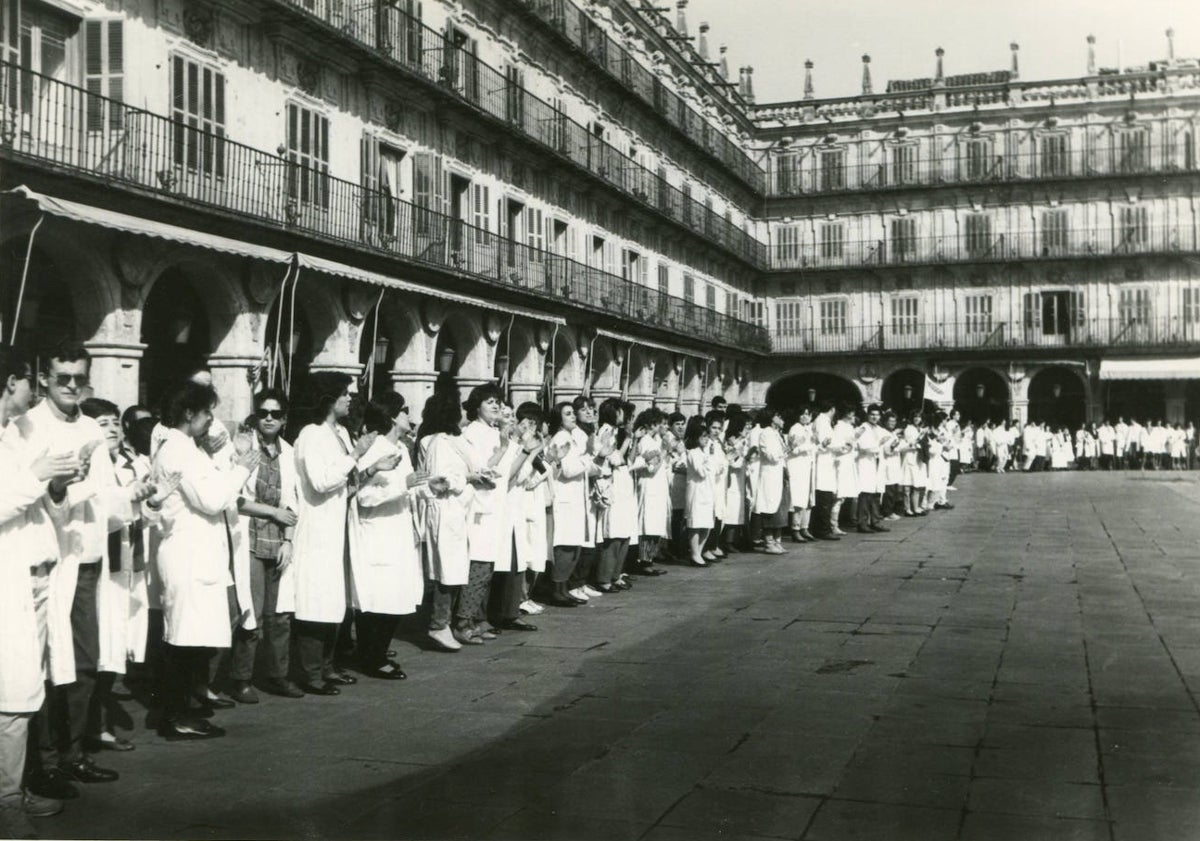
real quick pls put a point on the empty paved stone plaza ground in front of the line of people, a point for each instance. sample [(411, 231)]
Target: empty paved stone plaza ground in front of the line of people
[(1024, 668)]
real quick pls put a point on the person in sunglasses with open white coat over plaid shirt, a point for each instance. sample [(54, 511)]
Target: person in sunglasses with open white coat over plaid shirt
[(269, 503)]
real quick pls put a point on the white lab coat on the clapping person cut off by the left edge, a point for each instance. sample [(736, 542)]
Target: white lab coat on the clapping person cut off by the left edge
[(27, 539)]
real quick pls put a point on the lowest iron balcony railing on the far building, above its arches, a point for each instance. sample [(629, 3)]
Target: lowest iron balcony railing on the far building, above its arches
[(1132, 332)]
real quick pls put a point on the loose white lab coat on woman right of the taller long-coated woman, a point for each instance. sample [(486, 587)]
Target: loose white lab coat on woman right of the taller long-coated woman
[(386, 560)]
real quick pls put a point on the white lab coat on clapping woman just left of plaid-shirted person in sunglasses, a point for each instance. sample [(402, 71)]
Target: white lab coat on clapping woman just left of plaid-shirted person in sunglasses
[(194, 557)]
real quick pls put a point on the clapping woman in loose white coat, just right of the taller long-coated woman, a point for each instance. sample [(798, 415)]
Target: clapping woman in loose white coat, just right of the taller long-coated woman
[(385, 557)]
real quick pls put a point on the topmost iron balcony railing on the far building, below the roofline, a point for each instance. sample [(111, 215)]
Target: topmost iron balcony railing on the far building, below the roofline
[(980, 163)]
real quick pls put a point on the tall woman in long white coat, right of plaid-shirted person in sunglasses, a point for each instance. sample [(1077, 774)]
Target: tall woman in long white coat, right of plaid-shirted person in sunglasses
[(327, 473)]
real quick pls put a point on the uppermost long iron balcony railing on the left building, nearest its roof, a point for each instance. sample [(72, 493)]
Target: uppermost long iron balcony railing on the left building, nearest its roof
[(609, 56)]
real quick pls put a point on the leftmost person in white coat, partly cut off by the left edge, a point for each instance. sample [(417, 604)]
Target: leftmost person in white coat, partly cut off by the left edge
[(29, 556)]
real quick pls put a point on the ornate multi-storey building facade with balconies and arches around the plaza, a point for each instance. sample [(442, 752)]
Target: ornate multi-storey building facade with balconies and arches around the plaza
[(573, 197)]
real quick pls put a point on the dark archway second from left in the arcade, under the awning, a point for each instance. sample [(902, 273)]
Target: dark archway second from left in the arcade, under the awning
[(177, 334)]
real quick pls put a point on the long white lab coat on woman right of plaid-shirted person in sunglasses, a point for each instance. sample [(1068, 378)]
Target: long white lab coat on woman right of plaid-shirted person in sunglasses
[(319, 548)]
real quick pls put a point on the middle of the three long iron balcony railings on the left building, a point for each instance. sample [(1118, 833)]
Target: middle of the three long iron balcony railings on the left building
[(433, 57)]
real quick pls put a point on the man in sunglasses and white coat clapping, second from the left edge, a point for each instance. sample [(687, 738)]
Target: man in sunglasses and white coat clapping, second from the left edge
[(57, 425)]
